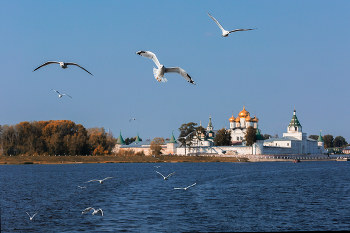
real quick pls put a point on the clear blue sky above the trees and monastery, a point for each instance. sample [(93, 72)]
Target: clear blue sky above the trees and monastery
[(298, 57)]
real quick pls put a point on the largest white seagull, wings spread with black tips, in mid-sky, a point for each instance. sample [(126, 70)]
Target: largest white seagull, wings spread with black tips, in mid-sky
[(159, 73)]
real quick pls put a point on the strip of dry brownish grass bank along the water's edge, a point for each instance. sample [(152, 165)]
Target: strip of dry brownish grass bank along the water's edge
[(110, 159)]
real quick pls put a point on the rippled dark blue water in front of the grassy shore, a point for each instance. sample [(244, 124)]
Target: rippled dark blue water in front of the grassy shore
[(271, 196)]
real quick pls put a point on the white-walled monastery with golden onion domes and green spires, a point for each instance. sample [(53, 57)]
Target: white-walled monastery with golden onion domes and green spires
[(293, 142)]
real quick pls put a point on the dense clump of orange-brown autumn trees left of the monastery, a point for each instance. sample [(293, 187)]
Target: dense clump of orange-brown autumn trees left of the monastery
[(54, 137)]
